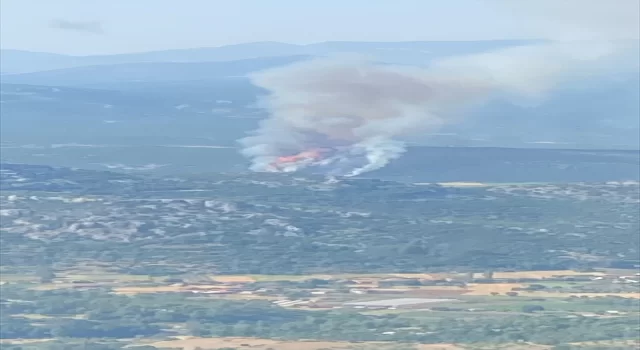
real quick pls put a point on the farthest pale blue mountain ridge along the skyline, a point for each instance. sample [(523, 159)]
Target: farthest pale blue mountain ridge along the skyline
[(17, 61)]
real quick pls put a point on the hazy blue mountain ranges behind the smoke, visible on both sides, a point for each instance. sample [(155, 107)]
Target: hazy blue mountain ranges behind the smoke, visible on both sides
[(209, 88)]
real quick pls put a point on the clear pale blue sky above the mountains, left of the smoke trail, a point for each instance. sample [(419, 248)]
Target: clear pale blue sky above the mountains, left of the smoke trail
[(141, 25)]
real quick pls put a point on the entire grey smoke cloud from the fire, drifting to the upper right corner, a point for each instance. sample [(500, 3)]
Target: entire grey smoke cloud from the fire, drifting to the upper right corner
[(363, 110)]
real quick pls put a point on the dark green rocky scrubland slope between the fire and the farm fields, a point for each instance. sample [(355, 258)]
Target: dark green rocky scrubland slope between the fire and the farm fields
[(289, 224)]
